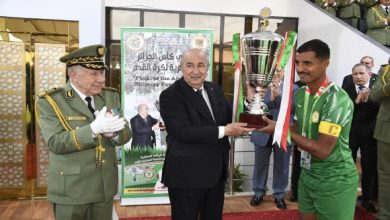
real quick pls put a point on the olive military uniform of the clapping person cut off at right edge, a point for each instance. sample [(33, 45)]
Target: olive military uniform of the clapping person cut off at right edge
[(380, 92)]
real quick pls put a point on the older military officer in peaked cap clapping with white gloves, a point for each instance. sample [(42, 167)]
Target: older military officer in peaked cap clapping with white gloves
[(81, 124)]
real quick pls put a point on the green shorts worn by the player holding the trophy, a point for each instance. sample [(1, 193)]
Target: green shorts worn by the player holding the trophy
[(335, 204)]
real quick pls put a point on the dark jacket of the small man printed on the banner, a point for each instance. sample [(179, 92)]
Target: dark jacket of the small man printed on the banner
[(143, 135)]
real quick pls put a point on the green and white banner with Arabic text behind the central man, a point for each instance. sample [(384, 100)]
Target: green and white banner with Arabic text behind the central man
[(150, 63)]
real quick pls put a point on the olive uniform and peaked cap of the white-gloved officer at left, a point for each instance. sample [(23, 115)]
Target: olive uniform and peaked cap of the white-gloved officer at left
[(82, 166)]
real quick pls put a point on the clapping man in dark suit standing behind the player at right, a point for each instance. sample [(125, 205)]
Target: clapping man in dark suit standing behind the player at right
[(362, 130)]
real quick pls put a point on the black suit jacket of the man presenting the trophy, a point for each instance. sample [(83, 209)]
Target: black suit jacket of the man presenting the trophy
[(195, 157)]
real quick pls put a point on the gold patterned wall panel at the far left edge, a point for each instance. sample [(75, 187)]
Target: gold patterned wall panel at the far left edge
[(13, 133)]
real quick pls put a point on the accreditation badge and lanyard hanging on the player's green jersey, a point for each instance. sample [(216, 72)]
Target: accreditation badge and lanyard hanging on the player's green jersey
[(307, 124)]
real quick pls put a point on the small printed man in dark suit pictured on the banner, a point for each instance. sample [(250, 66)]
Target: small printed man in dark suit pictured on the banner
[(143, 126)]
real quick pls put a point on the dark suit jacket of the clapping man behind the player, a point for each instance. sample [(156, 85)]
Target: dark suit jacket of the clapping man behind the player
[(364, 114)]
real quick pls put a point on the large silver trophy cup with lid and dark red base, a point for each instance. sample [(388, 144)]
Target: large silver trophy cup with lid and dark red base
[(260, 51)]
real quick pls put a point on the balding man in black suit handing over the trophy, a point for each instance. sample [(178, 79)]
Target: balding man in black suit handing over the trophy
[(196, 116)]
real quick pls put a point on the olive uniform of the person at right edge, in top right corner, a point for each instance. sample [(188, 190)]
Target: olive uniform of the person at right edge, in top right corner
[(376, 24)]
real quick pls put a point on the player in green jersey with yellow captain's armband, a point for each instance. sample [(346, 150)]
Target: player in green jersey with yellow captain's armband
[(329, 180)]
